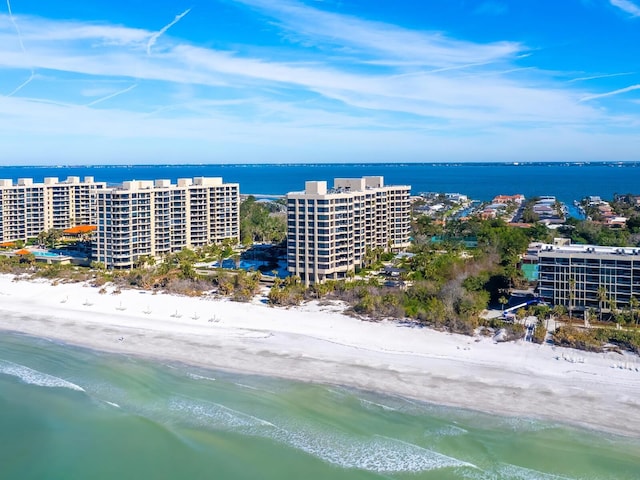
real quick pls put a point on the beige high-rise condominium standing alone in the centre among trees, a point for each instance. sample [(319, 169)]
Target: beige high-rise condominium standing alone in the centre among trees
[(330, 231)]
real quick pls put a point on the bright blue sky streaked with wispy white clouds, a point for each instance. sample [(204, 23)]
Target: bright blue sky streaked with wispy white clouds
[(296, 81)]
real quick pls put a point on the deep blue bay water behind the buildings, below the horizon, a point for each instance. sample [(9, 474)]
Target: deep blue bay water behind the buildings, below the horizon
[(480, 181)]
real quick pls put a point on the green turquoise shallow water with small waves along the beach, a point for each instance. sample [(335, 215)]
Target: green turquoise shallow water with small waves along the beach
[(70, 413)]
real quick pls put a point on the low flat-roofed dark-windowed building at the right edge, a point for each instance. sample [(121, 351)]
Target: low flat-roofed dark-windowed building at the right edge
[(581, 277)]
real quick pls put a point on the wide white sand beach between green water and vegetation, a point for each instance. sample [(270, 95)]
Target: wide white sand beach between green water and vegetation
[(319, 344)]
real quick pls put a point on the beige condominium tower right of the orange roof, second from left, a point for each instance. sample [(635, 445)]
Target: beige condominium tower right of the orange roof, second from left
[(154, 218)]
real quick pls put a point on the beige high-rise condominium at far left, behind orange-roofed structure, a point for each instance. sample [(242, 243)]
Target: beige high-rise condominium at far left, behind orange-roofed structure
[(28, 208)]
